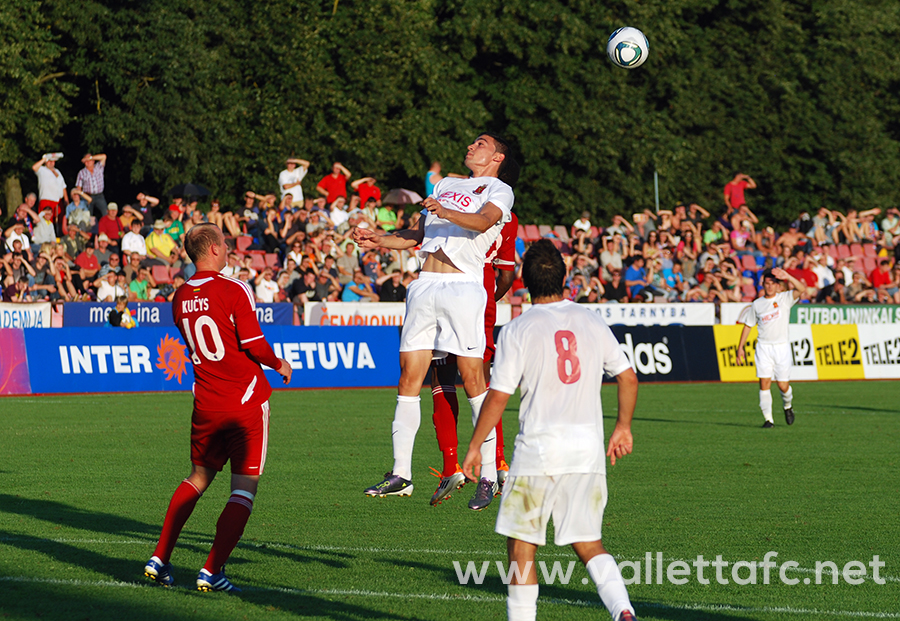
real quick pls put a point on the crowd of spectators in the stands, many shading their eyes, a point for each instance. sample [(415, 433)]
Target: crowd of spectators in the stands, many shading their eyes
[(73, 245)]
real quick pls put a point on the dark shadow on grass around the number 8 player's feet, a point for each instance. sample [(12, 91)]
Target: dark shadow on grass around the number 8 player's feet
[(560, 595)]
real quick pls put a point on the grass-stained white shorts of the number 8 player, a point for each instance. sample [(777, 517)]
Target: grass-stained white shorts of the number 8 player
[(576, 502)]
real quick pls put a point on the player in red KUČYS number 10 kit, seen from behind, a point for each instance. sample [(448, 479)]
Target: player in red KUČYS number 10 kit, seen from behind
[(217, 319)]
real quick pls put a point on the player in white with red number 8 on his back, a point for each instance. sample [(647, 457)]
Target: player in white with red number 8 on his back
[(559, 352)]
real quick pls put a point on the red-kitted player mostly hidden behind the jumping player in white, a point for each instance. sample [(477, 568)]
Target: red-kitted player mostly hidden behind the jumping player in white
[(502, 255)]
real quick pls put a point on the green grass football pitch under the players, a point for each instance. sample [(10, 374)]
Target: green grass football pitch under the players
[(86, 481)]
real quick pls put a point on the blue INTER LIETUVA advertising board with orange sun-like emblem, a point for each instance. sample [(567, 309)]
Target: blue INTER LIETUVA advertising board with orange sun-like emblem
[(79, 360)]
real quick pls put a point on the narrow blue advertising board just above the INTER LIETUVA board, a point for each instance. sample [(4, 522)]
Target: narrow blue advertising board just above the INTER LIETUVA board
[(159, 314)]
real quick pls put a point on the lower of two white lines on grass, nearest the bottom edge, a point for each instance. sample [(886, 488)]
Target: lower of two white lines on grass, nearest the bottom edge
[(498, 599)]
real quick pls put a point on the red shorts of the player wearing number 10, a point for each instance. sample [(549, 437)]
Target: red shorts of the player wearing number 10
[(241, 436)]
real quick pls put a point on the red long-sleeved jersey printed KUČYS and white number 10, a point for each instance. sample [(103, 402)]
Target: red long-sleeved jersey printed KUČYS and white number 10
[(217, 319)]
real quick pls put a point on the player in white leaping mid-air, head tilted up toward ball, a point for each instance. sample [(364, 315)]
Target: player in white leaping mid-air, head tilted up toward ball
[(445, 305)]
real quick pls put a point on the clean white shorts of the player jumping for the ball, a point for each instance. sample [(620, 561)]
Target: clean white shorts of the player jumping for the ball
[(445, 312)]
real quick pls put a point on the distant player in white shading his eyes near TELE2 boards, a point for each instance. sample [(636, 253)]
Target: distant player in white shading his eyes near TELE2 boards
[(772, 314)]
